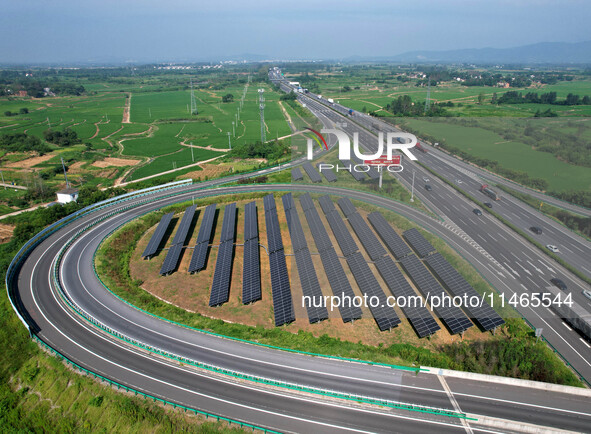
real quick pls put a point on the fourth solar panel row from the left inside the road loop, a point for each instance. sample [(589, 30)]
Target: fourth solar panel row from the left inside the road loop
[(220, 287)]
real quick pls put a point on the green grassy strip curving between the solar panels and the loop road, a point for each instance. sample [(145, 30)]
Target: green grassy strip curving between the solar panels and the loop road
[(514, 351)]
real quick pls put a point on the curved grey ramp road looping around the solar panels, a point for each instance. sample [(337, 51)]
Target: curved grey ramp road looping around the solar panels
[(91, 348)]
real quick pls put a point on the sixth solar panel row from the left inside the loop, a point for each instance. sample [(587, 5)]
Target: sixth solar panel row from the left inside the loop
[(282, 302)]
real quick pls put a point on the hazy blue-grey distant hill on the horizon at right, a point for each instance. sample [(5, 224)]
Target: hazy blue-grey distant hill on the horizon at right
[(540, 53)]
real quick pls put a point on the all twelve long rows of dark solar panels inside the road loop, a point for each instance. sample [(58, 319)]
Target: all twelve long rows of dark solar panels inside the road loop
[(386, 318)]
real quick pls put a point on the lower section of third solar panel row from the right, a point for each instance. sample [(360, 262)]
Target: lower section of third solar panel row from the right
[(414, 308)]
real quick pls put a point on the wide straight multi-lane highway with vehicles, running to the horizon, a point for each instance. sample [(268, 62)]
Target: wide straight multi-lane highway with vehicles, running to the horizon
[(512, 264)]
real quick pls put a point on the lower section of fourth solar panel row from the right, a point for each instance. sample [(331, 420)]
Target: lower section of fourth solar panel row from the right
[(384, 315)]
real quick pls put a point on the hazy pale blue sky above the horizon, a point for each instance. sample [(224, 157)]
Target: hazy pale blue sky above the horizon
[(62, 31)]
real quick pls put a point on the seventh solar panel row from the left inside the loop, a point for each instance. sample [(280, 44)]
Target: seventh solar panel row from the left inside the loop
[(306, 271)]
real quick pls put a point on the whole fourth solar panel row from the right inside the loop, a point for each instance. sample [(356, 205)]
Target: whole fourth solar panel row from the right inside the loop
[(384, 315)]
